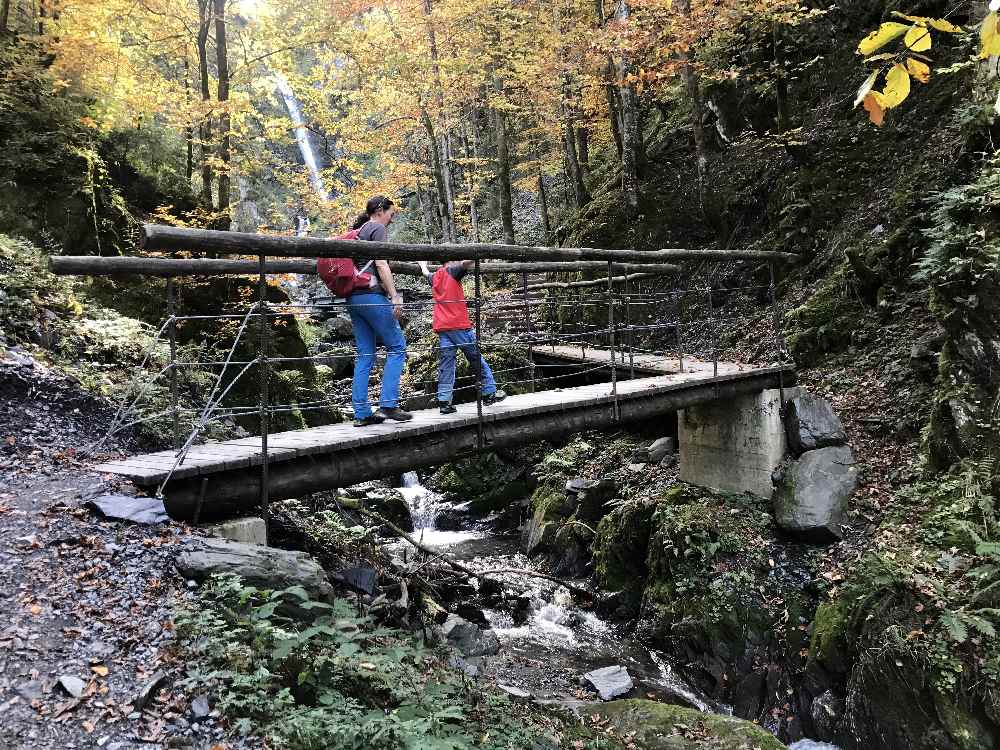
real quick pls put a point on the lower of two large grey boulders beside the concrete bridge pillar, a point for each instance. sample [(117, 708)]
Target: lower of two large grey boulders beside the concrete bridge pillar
[(812, 498)]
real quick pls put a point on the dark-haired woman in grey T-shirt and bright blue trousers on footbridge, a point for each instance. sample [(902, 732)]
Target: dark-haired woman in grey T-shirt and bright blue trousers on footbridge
[(375, 313)]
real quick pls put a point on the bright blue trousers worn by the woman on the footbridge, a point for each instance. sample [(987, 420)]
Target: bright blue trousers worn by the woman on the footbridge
[(373, 322)]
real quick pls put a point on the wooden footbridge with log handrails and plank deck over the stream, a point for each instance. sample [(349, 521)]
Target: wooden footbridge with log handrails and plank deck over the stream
[(213, 480)]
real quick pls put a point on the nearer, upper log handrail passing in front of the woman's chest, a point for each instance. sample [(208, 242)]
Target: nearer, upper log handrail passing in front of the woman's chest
[(159, 237)]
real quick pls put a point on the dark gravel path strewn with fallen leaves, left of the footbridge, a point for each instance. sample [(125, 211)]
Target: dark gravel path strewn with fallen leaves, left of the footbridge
[(86, 642)]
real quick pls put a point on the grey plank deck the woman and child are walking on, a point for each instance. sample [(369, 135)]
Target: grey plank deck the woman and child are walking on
[(216, 457)]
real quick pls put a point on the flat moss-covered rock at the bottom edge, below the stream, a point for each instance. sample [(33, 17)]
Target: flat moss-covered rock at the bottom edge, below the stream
[(661, 726)]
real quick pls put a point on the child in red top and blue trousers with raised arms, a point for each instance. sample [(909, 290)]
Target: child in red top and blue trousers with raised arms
[(454, 329)]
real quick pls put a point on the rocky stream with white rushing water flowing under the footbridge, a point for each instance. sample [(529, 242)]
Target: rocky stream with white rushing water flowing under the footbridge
[(547, 641)]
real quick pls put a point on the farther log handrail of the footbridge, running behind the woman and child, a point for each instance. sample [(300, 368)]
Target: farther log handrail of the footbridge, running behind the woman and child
[(94, 265)]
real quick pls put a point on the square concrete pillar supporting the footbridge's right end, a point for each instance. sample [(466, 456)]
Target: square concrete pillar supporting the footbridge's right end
[(733, 444)]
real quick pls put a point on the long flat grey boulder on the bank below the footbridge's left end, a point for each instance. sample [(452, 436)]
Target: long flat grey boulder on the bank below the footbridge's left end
[(265, 567)]
